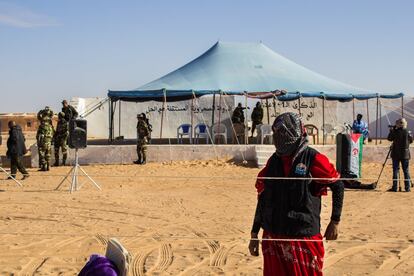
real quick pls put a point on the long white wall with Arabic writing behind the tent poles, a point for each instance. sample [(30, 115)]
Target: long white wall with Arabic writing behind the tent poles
[(336, 114)]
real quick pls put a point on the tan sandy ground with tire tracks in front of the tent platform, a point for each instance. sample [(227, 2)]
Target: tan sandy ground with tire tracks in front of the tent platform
[(193, 222)]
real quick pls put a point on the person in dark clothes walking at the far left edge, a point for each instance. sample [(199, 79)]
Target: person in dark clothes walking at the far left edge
[(16, 148)]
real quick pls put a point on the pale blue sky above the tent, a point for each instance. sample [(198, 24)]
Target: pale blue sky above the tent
[(50, 50)]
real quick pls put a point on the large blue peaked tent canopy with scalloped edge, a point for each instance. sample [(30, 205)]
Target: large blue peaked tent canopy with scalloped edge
[(249, 69)]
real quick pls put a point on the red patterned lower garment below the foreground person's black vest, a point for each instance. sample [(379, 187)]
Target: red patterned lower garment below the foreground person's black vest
[(285, 258)]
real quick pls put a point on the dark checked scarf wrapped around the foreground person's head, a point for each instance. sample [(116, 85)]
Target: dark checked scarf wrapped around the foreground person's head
[(288, 134)]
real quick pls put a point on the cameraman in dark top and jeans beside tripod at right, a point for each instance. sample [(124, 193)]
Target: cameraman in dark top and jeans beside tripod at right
[(401, 139)]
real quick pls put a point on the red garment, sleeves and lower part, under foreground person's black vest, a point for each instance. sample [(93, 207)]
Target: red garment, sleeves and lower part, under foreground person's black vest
[(297, 257)]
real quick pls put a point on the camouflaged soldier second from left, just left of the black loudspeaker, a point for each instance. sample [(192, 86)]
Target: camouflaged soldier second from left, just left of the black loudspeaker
[(60, 139)]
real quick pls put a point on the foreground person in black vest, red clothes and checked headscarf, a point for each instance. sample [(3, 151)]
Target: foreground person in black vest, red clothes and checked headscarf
[(288, 210)]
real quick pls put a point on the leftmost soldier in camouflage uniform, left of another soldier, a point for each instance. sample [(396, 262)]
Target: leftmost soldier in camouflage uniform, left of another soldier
[(44, 138)]
